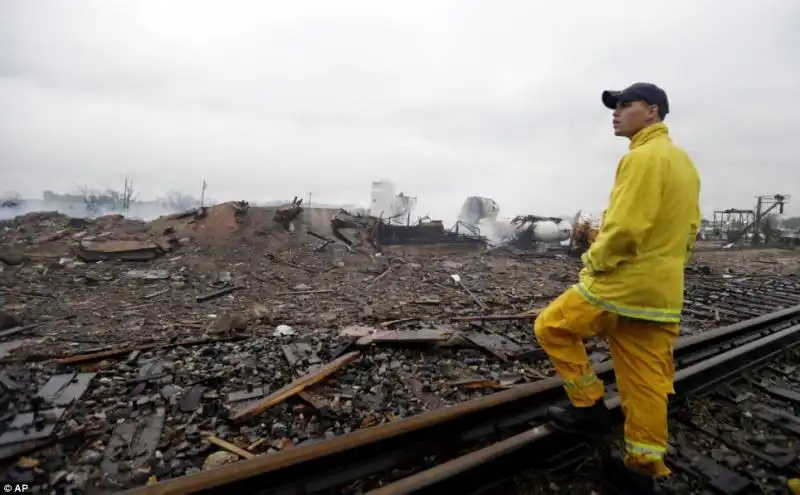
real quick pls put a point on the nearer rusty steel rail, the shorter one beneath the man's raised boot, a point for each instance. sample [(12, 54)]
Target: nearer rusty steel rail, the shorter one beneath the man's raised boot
[(693, 379)]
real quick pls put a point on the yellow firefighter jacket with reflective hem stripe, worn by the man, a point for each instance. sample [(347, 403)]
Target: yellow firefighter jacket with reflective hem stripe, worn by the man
[(635, 267)]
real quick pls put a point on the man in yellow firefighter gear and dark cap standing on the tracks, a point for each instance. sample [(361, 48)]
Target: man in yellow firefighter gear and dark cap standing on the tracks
[(631, 292)]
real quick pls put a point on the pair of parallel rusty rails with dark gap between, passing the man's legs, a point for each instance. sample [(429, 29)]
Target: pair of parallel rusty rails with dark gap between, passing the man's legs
[(502, 434)]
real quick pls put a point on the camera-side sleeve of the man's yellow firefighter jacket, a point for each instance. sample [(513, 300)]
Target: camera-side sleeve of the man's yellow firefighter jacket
[(635, 201)]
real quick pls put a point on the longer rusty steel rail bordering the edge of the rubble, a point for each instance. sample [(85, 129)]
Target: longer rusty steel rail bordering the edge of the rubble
[(322, 465)]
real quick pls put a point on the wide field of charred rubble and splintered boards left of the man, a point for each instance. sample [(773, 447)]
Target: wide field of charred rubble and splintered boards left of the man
[(134, 351)]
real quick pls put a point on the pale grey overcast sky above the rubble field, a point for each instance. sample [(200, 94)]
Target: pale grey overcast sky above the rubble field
[(267, 99)]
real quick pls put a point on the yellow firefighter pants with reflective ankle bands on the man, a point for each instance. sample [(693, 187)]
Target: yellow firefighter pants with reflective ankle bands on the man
[(643, 364)]
